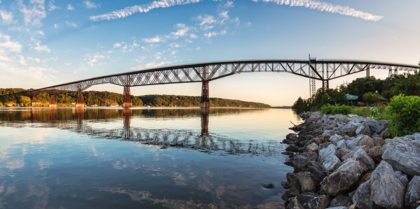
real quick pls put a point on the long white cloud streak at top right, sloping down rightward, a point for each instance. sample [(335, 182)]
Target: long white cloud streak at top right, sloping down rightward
[(326, 7)]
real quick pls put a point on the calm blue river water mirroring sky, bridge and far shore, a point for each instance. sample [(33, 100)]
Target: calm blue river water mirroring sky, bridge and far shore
[(142, 158)]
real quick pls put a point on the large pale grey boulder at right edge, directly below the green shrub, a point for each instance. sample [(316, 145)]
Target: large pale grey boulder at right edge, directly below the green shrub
[(403, 156)]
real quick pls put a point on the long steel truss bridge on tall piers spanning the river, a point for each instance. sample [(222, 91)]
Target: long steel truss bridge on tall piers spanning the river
[(322, 70)]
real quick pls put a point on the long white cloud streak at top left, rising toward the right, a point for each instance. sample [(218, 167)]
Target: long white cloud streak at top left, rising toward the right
[(141, 9)]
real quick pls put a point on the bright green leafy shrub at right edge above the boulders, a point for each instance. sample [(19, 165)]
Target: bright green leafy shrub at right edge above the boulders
[(405, 115)]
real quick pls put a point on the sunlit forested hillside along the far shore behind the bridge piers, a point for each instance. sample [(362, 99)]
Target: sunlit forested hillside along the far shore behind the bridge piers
[(104, 98)]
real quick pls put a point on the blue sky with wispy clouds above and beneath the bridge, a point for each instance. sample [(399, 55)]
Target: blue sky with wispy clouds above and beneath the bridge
[(49, 42)]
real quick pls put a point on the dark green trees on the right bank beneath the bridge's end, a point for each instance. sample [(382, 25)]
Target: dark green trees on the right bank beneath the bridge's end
[(365, 88)]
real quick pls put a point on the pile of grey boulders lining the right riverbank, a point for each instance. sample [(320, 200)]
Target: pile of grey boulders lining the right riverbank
[(344, 161)]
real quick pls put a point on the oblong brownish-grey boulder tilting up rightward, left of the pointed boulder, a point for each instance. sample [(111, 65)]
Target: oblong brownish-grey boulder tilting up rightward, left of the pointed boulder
[(347, 175)]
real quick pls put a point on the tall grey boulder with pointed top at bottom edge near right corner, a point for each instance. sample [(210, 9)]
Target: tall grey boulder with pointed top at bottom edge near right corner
[(386, 190)]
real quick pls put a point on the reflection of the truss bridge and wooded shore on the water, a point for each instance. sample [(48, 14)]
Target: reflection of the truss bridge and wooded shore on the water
[(72, 119)]
